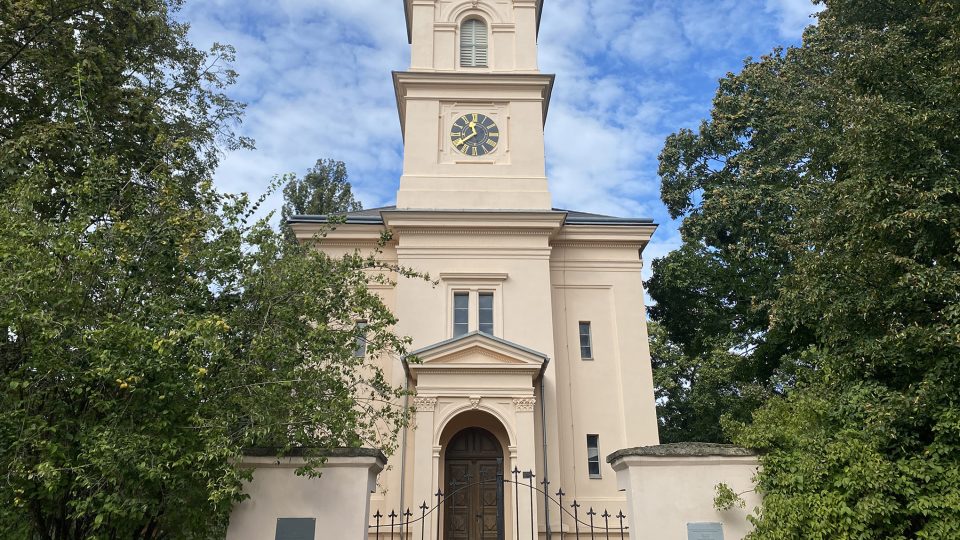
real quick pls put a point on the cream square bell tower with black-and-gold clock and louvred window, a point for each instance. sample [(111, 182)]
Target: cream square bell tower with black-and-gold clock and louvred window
[(472, 107)]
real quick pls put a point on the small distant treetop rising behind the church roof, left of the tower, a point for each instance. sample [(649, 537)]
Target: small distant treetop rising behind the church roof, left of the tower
[(323, 190)]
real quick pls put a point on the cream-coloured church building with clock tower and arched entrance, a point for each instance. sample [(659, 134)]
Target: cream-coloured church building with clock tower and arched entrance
[(532, 348)]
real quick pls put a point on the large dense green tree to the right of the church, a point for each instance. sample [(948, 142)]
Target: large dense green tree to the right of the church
[(822, 205)]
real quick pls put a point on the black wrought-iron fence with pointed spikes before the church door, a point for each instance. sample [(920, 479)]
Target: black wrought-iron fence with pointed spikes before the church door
[(587, 523)]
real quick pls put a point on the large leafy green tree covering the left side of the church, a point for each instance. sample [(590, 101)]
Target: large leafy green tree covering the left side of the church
[(150, 330)]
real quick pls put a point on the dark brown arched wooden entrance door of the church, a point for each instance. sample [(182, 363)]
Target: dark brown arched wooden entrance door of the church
[(473, 458)]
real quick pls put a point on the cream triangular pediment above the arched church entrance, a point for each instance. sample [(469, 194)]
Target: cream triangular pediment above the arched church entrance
[(476, 351)]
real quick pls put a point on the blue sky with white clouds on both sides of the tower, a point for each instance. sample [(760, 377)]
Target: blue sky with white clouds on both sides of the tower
[(316, 78)]
